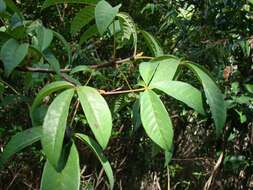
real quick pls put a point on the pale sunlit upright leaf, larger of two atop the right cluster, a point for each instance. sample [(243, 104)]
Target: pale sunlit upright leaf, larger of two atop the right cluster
[(166, 69)]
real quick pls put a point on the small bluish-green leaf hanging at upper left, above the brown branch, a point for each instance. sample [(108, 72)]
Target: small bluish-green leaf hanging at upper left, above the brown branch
[(45, 37)]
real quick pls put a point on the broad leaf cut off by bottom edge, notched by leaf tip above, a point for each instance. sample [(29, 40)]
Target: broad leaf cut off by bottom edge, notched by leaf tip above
[(67, 179)]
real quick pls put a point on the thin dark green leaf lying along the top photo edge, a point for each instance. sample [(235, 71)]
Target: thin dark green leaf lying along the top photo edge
[(49, 3)]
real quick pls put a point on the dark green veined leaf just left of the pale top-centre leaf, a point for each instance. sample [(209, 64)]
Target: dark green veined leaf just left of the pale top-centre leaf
[(82, 18)]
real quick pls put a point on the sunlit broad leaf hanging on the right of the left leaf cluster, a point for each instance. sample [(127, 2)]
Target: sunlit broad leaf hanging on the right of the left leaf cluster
[(97, 113)]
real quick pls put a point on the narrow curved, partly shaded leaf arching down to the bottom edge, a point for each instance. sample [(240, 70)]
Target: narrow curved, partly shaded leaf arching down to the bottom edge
[(99, 153)]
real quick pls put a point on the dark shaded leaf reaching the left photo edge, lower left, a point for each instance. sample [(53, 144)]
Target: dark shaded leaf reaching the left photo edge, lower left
[(20, 141)]
